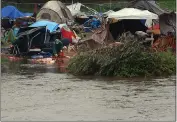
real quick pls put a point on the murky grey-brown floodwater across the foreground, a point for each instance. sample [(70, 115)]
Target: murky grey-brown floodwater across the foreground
[(39, 93)]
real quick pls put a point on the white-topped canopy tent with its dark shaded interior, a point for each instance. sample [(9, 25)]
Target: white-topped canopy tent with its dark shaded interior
[(131, 21)]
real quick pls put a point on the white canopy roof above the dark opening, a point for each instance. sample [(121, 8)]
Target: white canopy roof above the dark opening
[(132, 13)]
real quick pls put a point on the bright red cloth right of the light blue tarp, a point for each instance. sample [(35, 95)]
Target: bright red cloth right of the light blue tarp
[(67, 34)]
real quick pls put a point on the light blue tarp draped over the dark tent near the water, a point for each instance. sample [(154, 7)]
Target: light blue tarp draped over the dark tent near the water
[(51, 26)]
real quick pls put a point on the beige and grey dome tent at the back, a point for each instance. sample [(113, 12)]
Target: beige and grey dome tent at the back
[(55, 11)]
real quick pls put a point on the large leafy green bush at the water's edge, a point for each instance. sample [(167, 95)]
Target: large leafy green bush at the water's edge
[(128, 60)]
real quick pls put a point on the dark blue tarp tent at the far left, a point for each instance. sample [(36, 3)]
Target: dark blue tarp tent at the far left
[(13, 13)]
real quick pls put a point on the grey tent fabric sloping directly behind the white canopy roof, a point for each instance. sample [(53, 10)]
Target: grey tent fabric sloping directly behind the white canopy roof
[(149, 5)]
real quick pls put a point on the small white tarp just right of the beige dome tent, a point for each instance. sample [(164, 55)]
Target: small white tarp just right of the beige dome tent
[(75, 8)]
